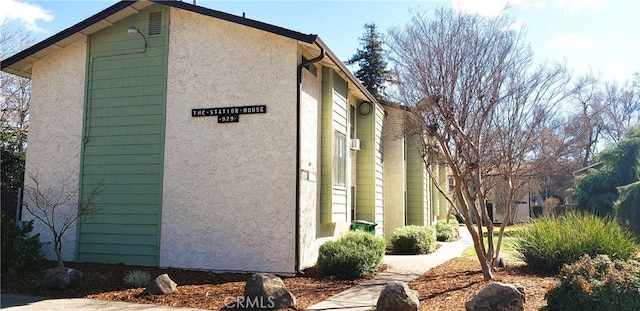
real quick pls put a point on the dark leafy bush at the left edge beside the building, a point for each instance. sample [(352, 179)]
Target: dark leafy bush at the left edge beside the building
[(19, 249)]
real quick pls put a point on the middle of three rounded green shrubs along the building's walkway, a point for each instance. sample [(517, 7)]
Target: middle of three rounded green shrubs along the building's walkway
[(414, 239)]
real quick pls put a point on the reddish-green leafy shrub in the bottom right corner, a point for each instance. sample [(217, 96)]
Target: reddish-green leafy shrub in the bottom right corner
[(597, 284)]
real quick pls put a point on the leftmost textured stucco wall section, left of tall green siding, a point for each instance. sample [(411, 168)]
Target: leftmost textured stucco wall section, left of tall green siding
[(55, 134)]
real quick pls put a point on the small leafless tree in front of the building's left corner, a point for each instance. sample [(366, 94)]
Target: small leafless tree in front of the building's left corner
[(60, 206)]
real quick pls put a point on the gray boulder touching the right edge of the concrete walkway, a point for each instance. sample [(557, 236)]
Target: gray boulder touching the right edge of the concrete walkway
[(397, 296)]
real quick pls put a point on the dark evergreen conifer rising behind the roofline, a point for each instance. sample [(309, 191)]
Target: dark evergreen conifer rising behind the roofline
[(370, 58)]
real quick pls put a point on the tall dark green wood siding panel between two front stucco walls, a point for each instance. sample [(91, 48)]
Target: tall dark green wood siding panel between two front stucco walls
[(124, 141)]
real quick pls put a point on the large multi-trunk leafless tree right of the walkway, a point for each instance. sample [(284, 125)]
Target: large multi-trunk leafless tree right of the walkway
[(473, 91)]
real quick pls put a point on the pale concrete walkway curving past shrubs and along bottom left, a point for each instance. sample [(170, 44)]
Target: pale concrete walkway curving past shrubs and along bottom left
[(361, 297)]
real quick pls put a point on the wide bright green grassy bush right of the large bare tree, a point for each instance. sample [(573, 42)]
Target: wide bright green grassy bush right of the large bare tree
[(551, 241)]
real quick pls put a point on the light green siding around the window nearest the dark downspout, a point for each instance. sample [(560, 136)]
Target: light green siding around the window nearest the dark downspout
[(333, 199)]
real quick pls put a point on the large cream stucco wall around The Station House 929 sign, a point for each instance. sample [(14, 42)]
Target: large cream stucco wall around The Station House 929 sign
[(229, 189)]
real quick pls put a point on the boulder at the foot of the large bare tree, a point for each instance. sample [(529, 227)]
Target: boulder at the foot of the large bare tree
[(499, 297)]
